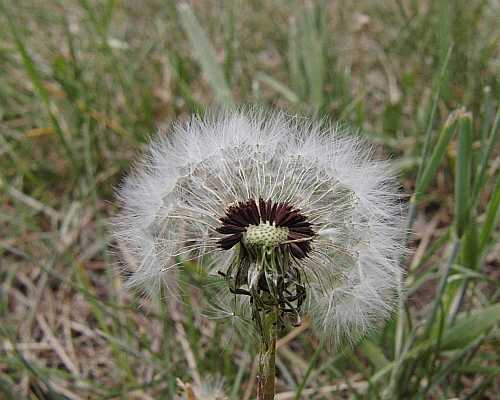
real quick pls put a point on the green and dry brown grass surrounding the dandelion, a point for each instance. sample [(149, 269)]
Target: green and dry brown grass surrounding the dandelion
[(84, 83)]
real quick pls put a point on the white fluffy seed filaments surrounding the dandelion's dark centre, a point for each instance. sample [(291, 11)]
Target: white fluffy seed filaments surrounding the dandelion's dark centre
[(173, 199)]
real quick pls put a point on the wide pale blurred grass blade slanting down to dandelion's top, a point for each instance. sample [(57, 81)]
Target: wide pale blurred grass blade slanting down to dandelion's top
[(205, 54)]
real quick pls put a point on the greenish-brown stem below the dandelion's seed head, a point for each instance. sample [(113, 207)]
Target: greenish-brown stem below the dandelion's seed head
[(267, 356)]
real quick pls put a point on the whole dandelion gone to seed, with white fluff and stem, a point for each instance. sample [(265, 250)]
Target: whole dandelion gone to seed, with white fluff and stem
[(293, 215)]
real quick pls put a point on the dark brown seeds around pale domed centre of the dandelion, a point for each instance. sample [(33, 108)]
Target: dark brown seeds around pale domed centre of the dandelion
[(266, 223)]
